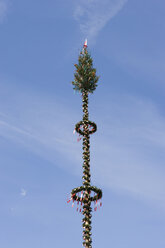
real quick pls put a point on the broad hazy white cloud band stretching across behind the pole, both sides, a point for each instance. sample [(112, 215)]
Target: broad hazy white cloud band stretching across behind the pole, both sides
[(128, 148)]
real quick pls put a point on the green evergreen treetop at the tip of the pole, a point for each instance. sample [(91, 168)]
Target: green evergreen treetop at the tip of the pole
[(85, 78)]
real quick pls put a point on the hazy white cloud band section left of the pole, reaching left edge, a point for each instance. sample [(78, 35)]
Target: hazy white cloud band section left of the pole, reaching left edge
[(40, 124)]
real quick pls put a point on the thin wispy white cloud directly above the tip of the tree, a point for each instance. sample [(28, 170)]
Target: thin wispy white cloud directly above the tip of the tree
[(93, 15)]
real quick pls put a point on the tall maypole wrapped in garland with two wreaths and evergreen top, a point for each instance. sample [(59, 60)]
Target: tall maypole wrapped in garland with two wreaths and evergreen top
[(85, 82)]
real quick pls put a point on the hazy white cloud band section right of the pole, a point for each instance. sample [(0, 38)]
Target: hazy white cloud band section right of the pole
[(131, 156)]
